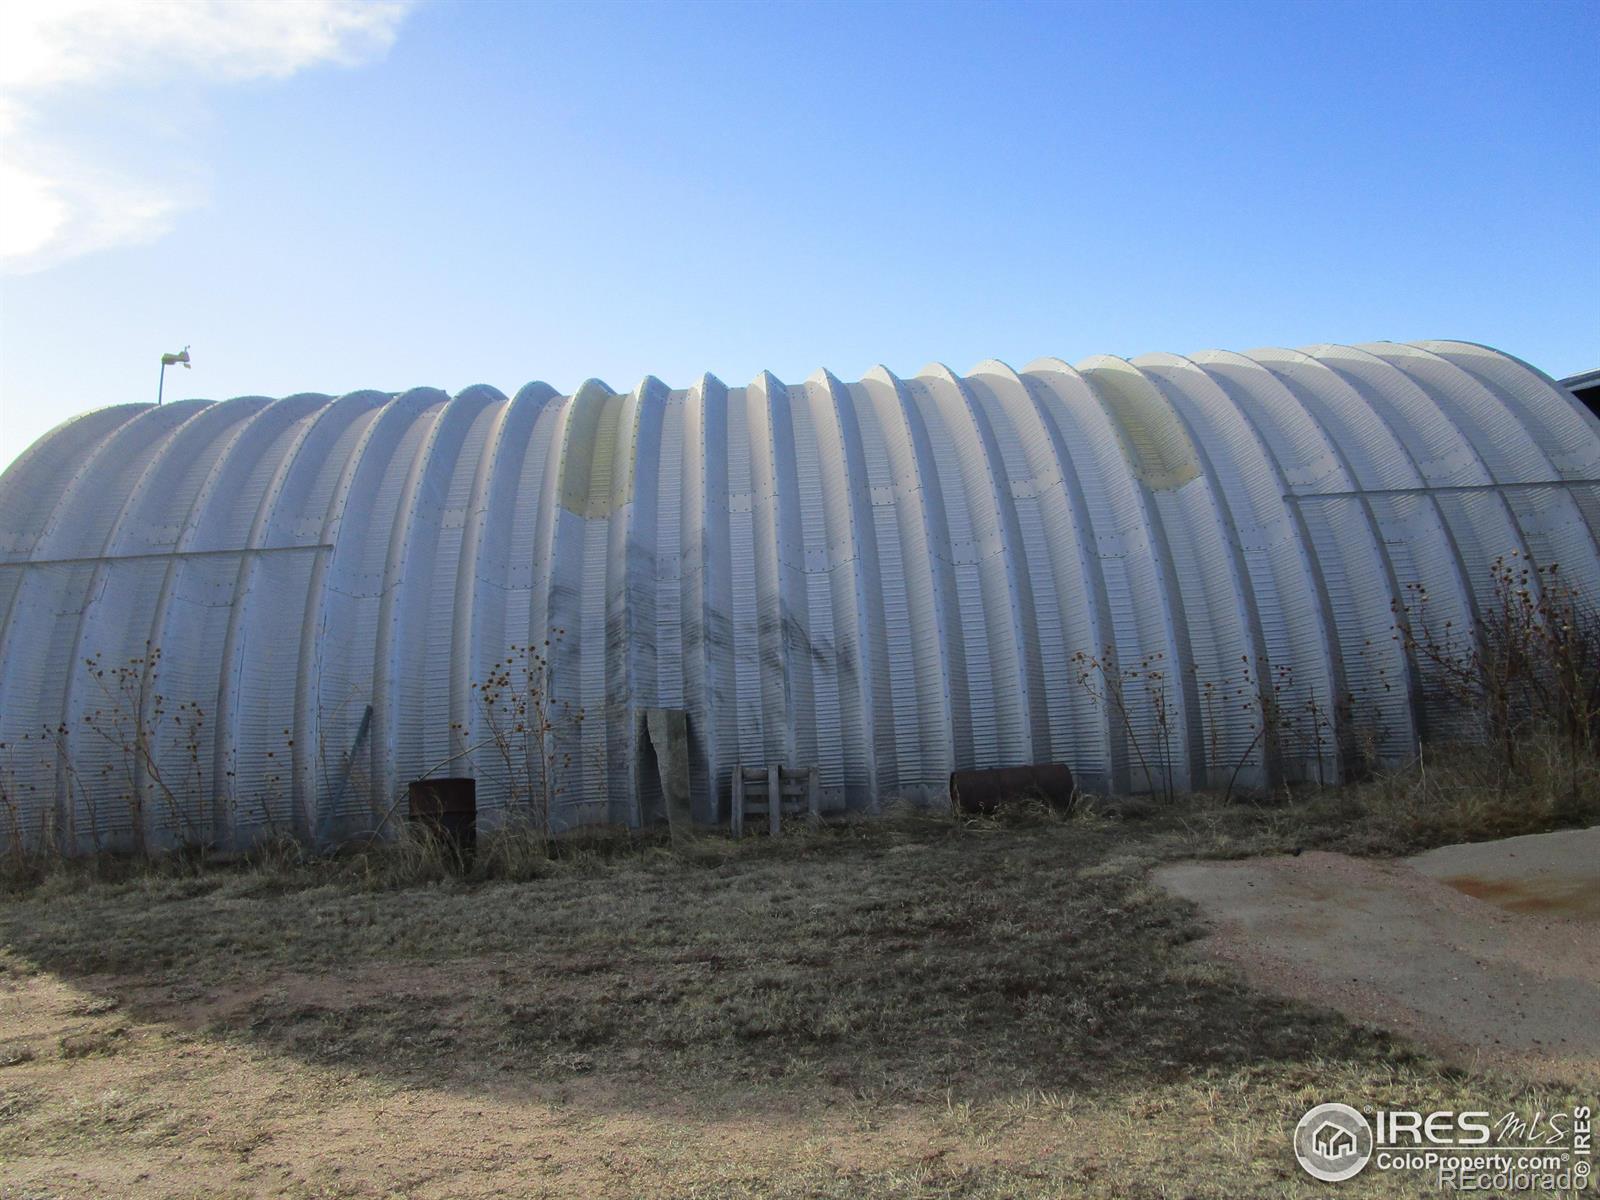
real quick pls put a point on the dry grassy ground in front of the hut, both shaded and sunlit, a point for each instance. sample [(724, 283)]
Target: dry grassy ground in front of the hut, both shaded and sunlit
[(919, 1007)]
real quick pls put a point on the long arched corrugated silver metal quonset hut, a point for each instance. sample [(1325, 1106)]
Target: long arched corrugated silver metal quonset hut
[(225, 620)]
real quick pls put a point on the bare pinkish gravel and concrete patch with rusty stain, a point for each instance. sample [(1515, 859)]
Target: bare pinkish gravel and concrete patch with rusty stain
[(1489, 953)]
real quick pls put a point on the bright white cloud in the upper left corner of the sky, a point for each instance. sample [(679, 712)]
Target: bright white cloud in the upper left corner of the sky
[(57, 201)]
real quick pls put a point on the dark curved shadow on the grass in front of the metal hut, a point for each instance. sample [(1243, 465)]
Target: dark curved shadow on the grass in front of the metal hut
[(894, 961)]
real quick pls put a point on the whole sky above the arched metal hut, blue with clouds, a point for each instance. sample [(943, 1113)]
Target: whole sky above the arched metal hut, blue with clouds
[(329, 196)]
